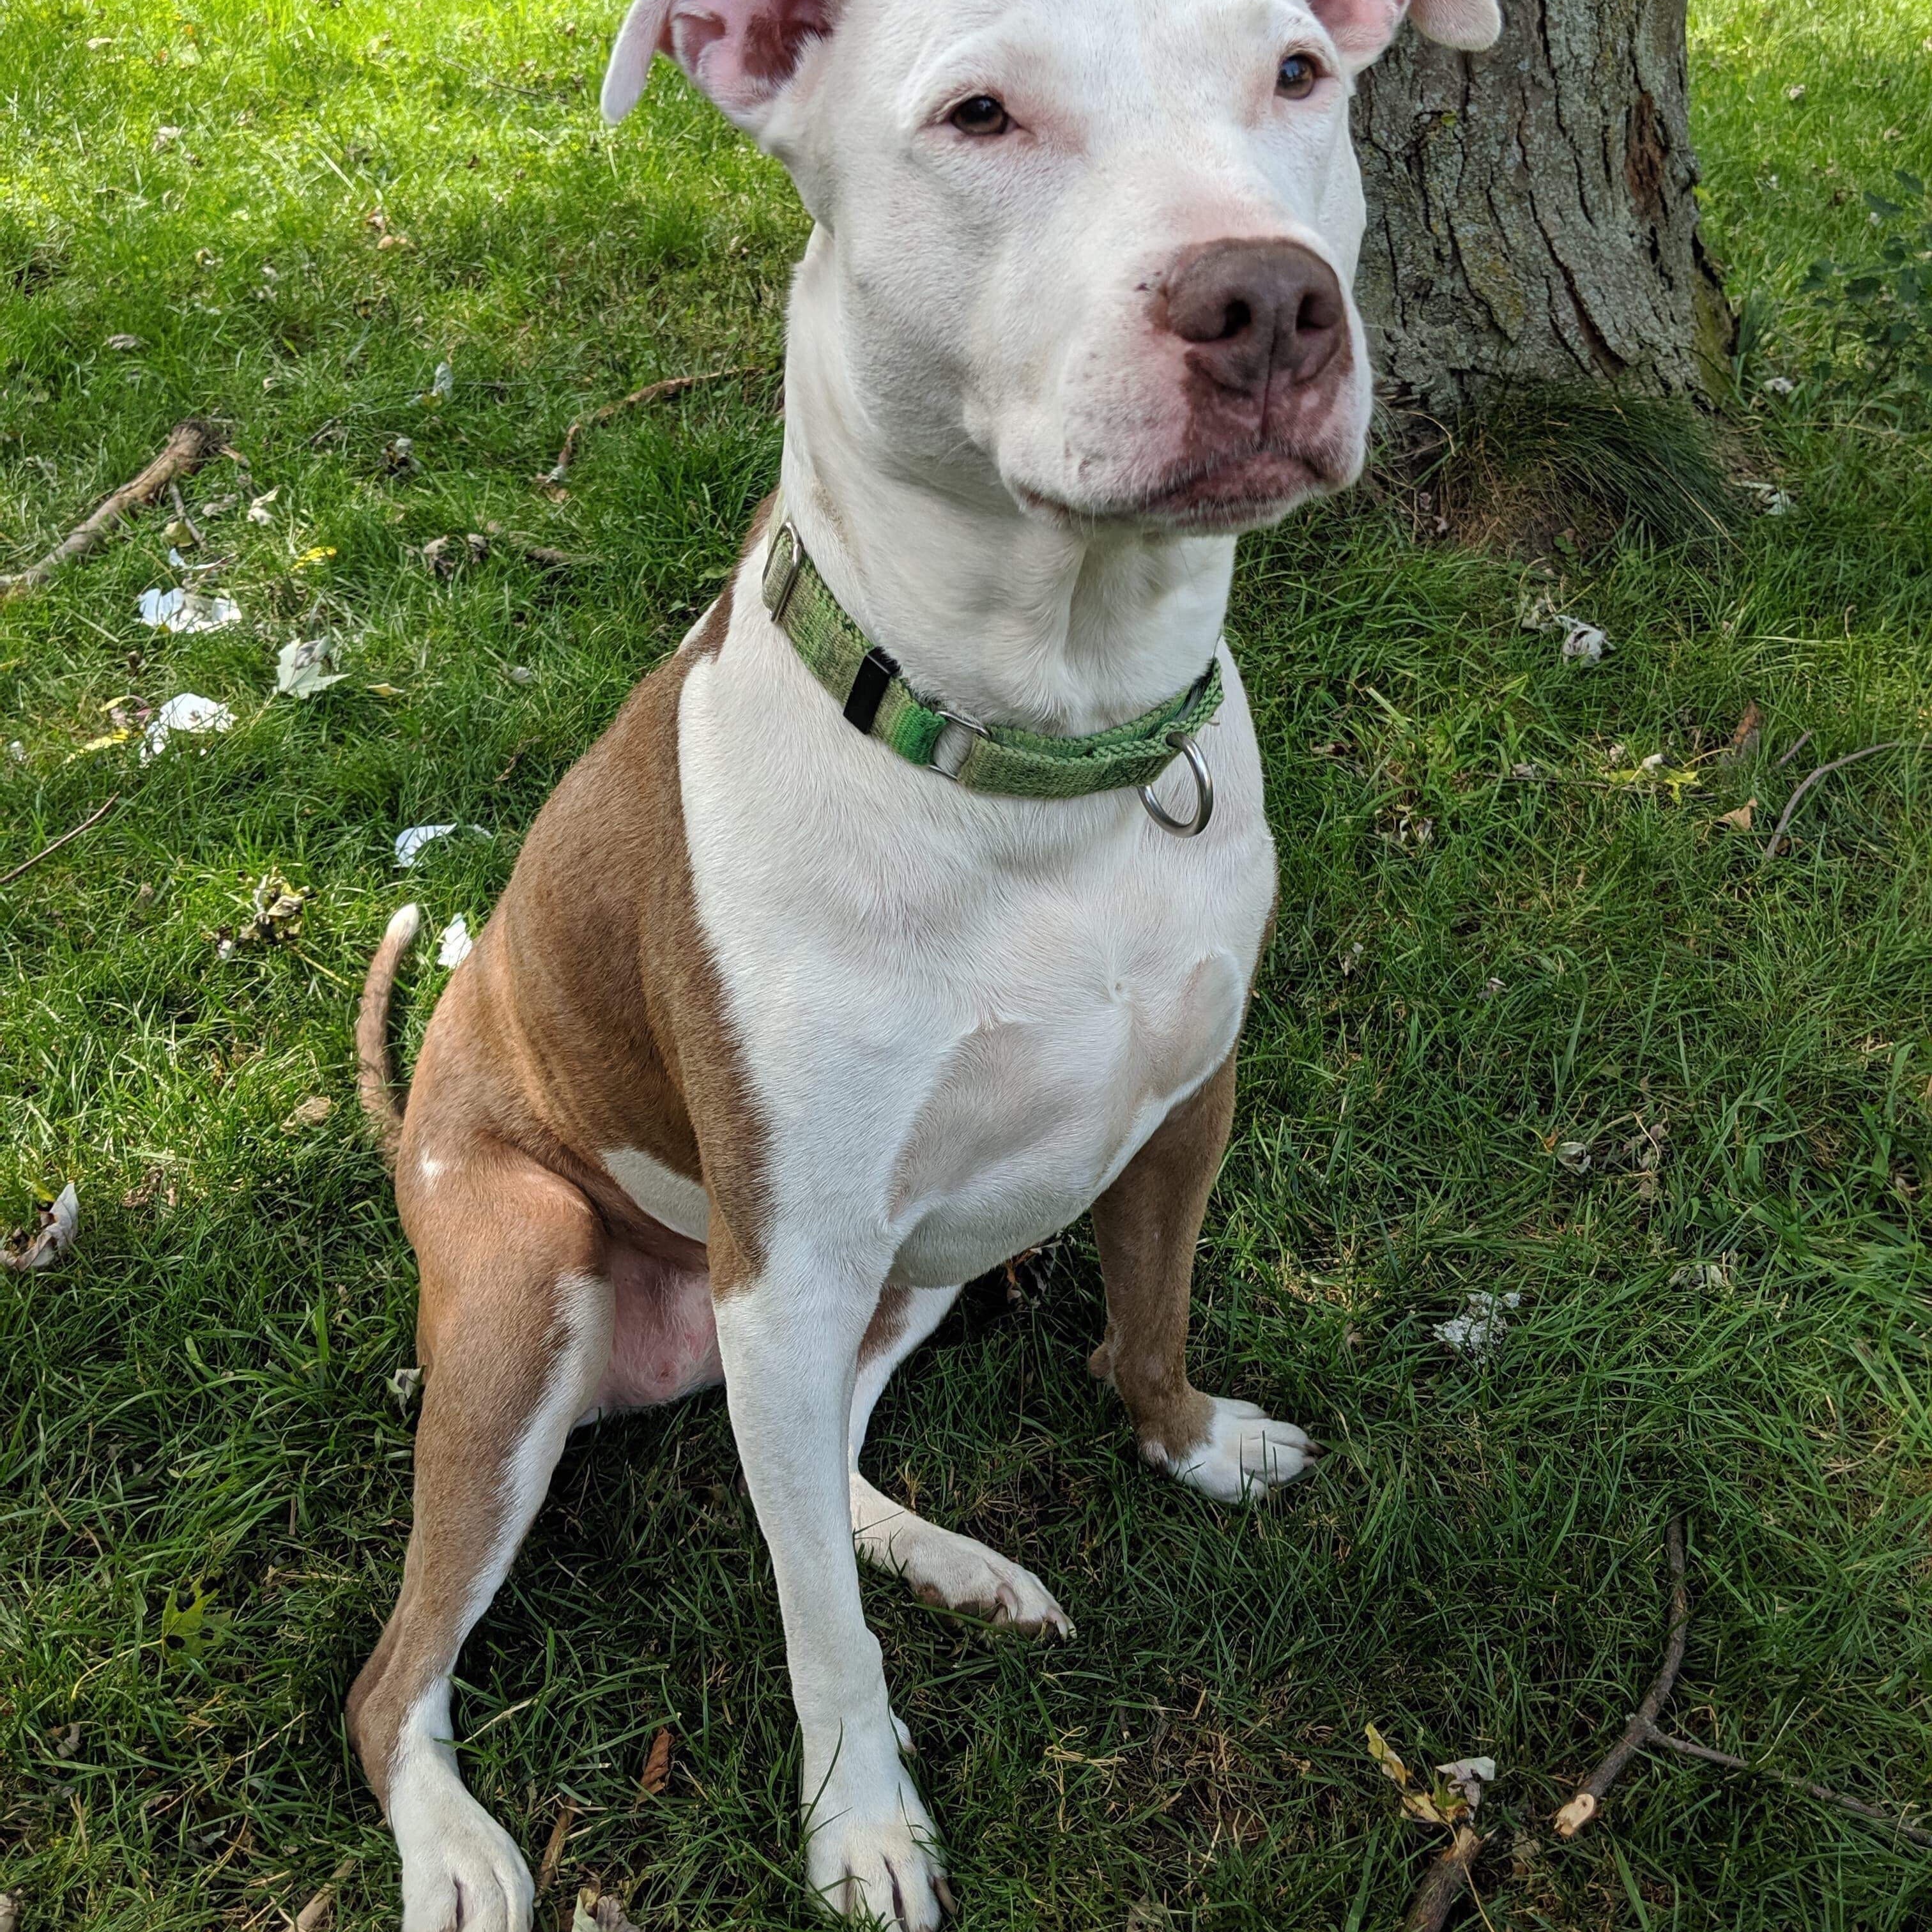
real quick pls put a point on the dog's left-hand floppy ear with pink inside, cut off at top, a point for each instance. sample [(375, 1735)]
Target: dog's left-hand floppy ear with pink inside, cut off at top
[(741, 53)]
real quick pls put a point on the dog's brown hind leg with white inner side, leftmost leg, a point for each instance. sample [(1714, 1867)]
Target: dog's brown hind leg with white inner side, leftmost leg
[(515, 1334)]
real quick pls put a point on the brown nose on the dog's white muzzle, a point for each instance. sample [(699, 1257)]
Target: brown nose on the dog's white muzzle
[(1257, 310)]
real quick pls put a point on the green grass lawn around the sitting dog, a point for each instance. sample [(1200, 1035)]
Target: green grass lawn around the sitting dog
[(1730, 1324)]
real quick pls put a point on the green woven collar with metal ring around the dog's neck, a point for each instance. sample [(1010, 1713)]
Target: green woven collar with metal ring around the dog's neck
[(986, 758)]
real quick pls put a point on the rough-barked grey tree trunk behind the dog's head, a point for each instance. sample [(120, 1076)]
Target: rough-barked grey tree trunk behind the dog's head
[(1531, 212)]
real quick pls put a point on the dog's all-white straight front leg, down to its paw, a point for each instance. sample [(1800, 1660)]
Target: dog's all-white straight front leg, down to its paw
[(789, 1334)]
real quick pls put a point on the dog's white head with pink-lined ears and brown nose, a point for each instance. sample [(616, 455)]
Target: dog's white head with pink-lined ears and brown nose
[(1100, 248)]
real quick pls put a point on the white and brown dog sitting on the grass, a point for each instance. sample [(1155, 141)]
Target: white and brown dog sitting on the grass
[(778, 1037)]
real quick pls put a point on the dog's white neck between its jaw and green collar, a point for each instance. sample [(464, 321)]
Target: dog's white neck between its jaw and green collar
[(990, 611)]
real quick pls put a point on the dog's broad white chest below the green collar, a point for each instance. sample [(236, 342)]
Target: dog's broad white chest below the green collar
[(957, 1046)]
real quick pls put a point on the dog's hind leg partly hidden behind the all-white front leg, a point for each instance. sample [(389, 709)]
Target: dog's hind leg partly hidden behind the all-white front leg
[(942, 1566)]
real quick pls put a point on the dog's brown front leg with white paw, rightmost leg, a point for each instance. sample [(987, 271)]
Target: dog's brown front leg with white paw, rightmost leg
[(1147, 1228)]
